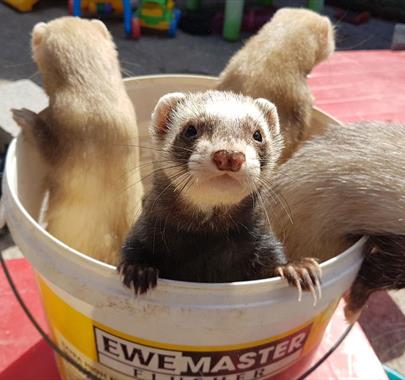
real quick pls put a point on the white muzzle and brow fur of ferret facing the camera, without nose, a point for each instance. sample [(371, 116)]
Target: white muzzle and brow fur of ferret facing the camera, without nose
[(210, 187)]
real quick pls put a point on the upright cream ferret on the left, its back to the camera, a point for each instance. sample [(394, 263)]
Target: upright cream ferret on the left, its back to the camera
[(84, 136)]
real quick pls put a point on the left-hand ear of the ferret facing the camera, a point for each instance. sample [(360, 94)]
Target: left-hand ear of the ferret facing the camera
[(161, 113)]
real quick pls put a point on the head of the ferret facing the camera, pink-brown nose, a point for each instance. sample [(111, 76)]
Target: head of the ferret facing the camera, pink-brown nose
[(216, 147)]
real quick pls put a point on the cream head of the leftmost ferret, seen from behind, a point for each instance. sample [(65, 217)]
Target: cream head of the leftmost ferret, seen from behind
[(70, 47)]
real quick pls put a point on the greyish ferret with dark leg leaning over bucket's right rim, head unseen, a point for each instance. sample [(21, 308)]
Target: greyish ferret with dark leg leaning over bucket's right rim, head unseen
[(343, 184)]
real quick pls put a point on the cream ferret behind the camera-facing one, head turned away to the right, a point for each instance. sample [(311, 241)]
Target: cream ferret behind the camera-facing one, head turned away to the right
[(274, 64)]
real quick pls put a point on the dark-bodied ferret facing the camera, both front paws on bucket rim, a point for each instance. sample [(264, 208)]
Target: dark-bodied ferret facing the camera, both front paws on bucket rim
[(204, 220)]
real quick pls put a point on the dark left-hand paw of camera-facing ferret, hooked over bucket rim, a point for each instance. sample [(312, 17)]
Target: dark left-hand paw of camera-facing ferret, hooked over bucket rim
[(137, 276)]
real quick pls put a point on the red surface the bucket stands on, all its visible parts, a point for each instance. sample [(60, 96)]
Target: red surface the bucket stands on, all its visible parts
[(350, 86)]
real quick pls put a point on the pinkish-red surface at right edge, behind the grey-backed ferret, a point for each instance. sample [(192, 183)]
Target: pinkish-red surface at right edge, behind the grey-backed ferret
[(361, 85)]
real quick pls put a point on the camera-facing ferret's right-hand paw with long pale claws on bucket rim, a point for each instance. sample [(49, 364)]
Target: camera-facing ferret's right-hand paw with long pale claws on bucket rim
[(304, 274)]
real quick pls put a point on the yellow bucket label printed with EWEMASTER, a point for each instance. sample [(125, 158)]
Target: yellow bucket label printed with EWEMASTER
[(111, 354)]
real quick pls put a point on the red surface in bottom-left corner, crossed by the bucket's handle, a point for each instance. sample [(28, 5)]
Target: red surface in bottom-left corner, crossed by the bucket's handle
[(23, 353)]
